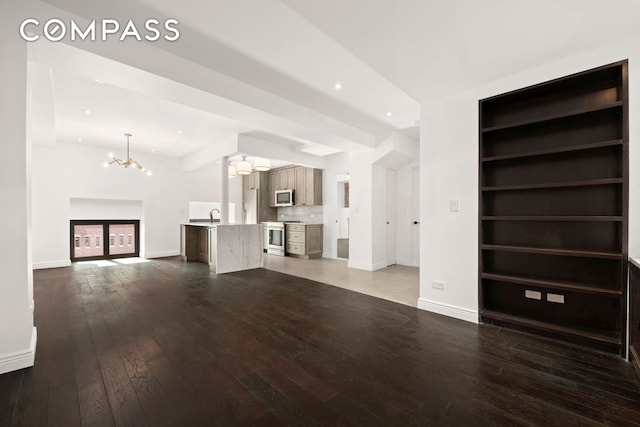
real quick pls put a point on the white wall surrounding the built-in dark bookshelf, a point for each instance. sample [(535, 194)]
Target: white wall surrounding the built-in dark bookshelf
[(449, 170)]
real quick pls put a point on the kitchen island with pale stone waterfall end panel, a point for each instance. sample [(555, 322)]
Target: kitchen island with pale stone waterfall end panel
[(225, 247)]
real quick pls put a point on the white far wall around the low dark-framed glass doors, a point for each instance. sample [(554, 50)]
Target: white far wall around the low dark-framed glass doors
[(74, 172)]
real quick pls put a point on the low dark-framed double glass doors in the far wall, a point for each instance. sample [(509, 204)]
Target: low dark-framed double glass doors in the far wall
[(104, 239)]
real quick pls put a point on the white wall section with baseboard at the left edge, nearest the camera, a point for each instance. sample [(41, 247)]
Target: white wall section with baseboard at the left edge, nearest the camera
[(17, 333)]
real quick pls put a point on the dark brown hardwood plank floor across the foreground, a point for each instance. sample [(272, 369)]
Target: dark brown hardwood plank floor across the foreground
[(166, 343)]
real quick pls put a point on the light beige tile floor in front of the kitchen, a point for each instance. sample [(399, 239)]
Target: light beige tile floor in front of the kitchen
[(397, 283)]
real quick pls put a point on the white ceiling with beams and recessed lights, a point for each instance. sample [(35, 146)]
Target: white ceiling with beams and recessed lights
[(276, 63)]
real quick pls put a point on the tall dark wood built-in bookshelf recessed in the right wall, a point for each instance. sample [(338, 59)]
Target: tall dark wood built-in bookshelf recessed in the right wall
[(553, 220)]
